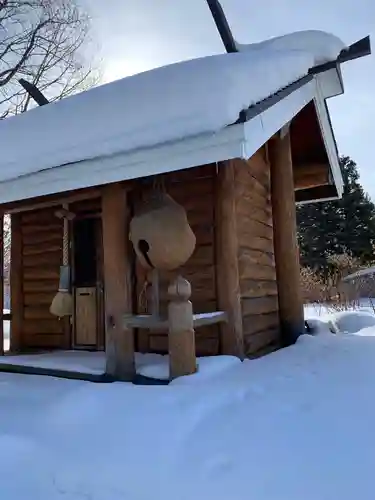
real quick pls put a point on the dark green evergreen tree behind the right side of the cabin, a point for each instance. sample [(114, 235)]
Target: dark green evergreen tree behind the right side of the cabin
[(334, 227)]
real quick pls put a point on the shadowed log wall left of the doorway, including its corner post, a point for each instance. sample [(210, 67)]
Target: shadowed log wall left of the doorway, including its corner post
[(37, 242)]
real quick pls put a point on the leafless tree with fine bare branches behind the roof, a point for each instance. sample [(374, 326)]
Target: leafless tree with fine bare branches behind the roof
[(45, 42)]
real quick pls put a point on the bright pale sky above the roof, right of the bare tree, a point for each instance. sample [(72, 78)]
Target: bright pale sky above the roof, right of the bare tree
[(136, 35)]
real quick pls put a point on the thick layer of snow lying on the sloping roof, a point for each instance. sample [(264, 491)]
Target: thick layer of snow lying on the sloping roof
[(166, 104)]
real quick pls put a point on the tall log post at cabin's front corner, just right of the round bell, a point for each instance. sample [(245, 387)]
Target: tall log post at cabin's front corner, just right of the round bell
[(227, 276)]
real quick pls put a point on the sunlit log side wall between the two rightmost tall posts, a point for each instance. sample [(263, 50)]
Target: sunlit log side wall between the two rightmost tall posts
[(256, 261)]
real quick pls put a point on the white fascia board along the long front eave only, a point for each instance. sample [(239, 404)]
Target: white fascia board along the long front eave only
[(190, 152)]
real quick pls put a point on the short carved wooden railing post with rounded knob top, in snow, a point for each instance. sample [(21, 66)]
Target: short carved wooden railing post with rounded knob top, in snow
[(181, 338)]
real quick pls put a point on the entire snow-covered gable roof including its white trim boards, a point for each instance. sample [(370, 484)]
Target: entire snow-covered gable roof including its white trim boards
[(200, 111)]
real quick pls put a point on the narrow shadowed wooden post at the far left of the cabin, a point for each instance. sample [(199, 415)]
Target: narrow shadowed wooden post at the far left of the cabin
[(16, 284)]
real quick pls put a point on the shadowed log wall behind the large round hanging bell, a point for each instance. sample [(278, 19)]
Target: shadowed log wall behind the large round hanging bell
[(194, 190)]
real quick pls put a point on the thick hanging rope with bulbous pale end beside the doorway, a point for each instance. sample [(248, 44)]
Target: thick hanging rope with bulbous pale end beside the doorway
[(62, 304)]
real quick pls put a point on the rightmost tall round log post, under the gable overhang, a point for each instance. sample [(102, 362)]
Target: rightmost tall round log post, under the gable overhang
[(285, 238)]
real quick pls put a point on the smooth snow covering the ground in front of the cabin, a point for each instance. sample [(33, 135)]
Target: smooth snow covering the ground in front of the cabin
[(297, 424)]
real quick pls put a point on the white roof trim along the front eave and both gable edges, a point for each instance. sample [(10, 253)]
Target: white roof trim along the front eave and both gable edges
[(236, 141)]
